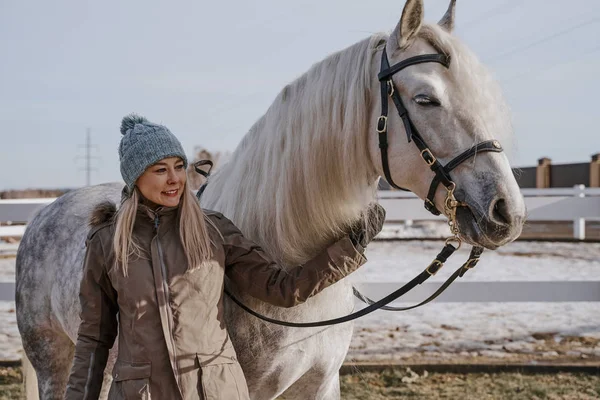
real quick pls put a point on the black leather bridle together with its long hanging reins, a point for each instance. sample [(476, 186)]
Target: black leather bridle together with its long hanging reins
[(442, 175)]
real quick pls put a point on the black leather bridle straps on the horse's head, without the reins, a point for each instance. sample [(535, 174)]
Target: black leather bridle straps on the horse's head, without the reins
[(442, 172)]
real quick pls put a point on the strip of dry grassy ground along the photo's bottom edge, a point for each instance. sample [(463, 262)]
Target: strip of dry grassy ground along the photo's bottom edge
[(406, 384)]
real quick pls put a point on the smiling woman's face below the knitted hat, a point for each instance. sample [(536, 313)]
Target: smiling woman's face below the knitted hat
[(164, 182)]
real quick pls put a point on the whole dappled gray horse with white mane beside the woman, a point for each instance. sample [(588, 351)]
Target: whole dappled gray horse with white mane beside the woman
[(307, 167)]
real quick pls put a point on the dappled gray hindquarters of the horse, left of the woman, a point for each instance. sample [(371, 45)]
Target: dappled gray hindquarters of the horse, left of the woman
[(49, 266)]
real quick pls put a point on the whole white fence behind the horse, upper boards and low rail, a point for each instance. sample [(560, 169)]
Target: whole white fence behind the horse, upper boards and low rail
[(571, 204)]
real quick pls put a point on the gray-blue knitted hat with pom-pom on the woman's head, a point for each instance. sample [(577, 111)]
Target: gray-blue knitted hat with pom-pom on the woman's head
[(144, 144)]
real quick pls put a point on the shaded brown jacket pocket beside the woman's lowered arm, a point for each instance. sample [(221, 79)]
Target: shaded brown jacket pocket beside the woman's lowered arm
[(130, 381)]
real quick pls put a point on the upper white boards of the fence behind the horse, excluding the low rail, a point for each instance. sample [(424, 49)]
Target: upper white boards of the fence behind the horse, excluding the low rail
[(576, 204)]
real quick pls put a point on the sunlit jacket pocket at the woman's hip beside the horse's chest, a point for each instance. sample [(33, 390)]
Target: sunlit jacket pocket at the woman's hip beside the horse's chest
[(221, 378)]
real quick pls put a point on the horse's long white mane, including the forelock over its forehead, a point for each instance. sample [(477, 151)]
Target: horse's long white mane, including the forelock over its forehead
[(303, 172)]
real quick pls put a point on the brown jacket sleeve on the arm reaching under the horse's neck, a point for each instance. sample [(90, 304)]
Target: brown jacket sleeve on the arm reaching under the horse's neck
[(253, 271)]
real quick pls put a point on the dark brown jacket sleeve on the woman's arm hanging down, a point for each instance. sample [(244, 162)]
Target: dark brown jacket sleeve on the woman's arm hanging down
[(98, 328)]
